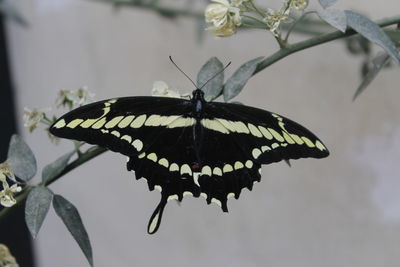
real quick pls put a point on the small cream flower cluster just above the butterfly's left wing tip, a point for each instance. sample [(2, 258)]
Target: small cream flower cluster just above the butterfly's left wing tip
[(71, 98)]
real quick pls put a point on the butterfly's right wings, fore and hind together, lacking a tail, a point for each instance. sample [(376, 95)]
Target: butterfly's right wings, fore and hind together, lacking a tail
[(237, 140)]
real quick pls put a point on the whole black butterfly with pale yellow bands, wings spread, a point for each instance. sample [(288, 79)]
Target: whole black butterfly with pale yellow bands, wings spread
[(190, 146)]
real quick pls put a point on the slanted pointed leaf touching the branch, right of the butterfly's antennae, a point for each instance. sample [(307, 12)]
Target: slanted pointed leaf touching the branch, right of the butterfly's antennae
[(238, 80)]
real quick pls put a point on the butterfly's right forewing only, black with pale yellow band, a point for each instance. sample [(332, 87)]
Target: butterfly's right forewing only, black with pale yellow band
[(264, 136)]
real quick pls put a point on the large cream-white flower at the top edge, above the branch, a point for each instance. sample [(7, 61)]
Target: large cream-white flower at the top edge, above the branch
[(224, 17)]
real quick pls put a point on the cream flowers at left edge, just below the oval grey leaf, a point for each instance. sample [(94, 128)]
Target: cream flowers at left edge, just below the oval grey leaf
[(7, 194)]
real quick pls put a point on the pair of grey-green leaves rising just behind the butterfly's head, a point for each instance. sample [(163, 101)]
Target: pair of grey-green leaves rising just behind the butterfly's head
[(233, 86)]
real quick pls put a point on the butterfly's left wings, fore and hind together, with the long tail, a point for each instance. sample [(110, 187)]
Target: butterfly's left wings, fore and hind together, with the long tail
[(156, 134)]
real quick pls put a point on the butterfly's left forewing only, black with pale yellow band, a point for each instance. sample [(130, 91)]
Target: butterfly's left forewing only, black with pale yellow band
[(126, 125)]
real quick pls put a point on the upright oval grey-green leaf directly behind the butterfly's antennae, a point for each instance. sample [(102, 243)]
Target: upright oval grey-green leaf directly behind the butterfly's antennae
[(214, 87)]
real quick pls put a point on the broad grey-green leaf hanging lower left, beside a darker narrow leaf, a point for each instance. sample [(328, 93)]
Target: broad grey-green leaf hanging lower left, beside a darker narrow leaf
[(36, 208)]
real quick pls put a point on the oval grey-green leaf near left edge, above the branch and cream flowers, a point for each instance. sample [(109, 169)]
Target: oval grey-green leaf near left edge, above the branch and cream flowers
[(21, 159)]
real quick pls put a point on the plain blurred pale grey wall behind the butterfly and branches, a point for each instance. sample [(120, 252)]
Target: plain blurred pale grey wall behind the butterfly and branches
[(340, 211)]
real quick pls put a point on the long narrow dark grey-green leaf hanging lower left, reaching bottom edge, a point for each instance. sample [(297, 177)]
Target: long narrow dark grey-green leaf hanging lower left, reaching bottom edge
[(72, 220)]
